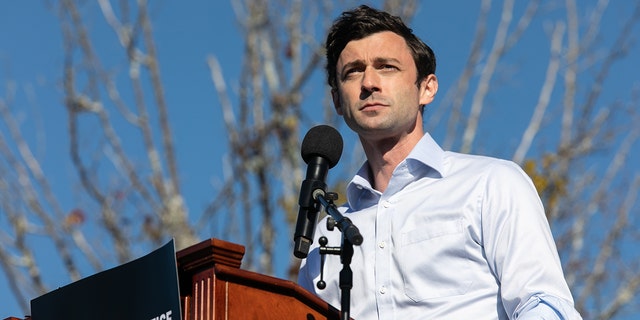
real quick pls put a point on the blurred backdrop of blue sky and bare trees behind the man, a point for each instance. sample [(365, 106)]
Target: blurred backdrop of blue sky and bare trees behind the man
[(124, 124)]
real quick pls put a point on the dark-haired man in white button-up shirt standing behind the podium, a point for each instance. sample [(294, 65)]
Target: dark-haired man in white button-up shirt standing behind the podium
[(446, 235)]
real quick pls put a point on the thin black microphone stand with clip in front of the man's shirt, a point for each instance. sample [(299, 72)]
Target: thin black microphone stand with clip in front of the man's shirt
[(350, 236)]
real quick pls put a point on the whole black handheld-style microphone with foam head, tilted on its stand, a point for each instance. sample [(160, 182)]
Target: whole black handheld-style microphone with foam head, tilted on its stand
[(321, 150)]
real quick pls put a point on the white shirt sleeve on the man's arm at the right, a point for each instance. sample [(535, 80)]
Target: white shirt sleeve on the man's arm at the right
[(520, 247)]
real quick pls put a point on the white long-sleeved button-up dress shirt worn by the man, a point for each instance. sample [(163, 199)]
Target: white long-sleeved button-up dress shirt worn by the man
[(453, 236)]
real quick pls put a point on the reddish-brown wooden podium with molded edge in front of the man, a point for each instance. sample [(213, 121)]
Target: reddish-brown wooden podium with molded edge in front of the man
[(213, 287)]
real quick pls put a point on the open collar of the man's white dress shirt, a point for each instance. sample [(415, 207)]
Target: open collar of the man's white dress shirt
[(426, 157)]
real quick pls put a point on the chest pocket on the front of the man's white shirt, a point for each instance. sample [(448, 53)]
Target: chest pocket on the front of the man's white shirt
[(433, 261)]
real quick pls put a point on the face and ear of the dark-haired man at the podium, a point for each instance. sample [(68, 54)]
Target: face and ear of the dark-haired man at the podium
[(376, 87)]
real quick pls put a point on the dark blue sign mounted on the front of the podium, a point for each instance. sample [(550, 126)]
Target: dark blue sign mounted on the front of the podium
[(143, 289)]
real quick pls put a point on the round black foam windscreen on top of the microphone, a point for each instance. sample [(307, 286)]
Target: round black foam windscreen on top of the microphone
[(322, 141)]
